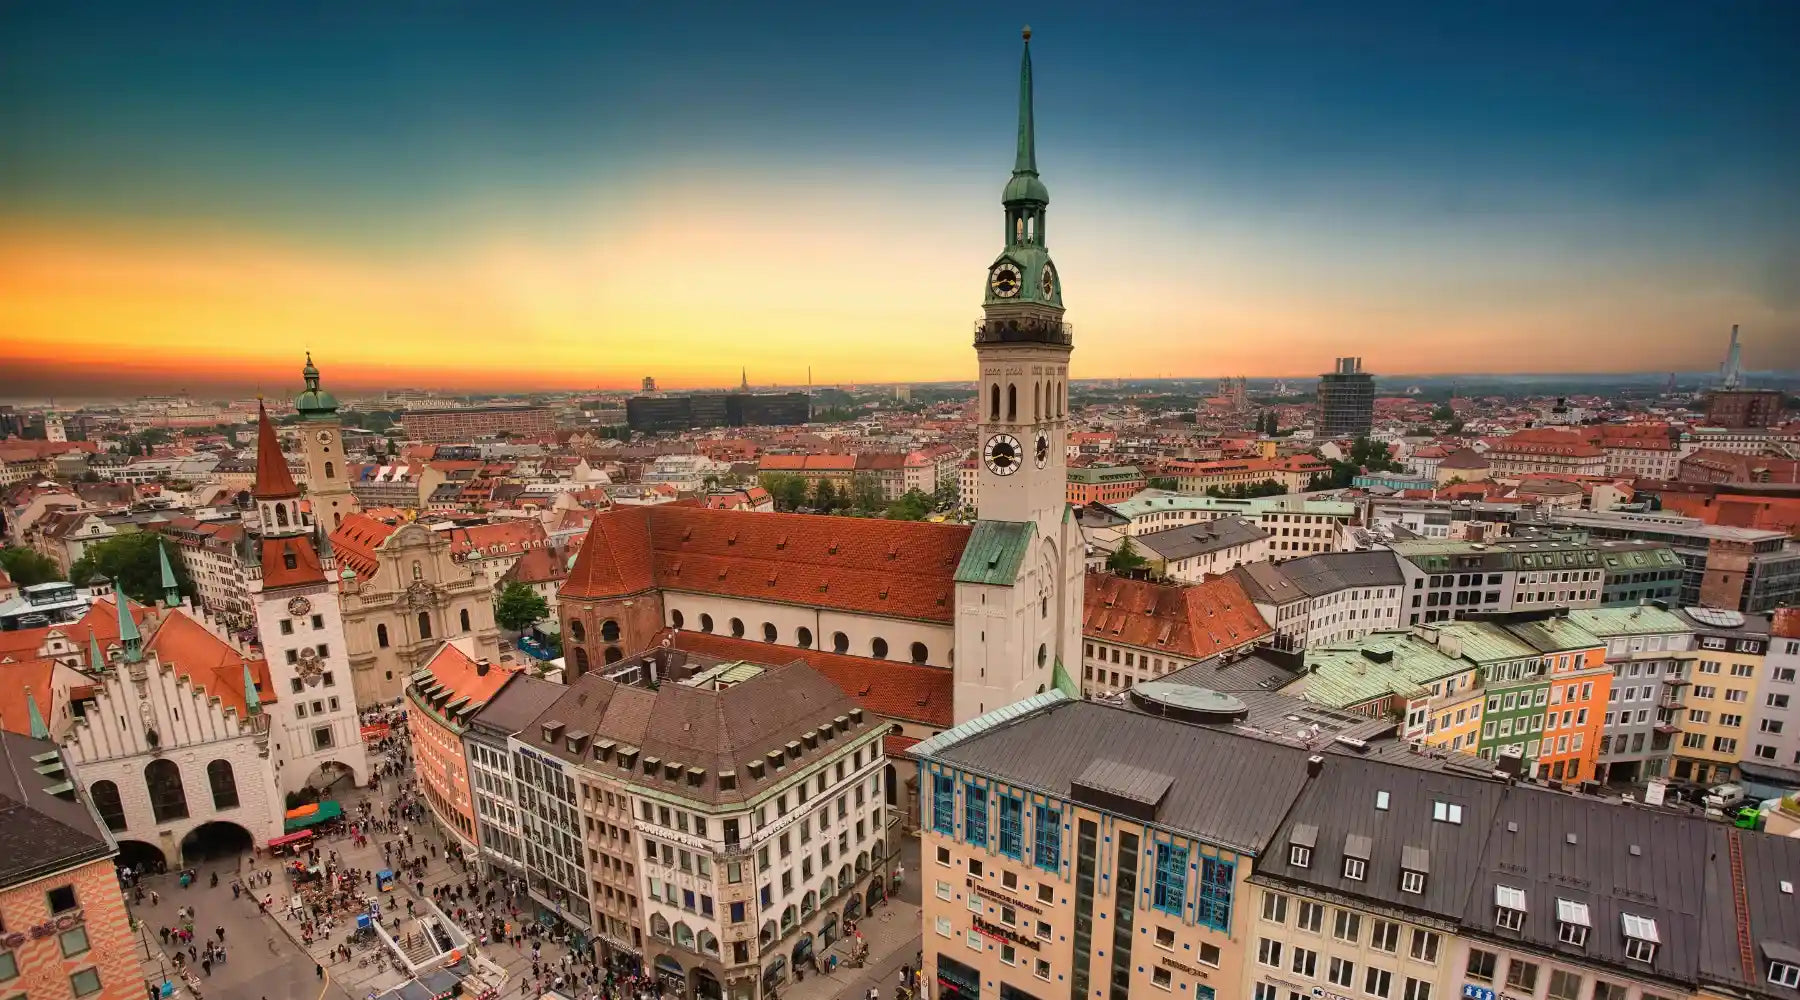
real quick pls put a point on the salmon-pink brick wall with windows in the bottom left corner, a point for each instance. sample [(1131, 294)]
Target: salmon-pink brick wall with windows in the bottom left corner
[(112, 949)]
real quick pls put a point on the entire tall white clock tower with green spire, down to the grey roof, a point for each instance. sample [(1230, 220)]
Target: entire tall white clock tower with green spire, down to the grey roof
[(1020, 582)]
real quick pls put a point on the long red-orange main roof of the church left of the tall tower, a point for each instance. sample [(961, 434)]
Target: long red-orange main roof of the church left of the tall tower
[(861, 566)]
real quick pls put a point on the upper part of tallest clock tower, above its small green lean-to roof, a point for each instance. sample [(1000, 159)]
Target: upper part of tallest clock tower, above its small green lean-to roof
[(1023, 350)]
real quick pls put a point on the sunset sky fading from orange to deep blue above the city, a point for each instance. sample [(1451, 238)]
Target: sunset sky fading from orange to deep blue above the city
[(523, 195)]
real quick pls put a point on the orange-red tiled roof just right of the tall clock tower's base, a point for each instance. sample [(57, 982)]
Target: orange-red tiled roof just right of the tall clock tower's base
[(1191, 621)]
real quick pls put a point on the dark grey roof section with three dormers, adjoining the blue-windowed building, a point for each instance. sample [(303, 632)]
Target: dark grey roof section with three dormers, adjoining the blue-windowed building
[(1342, 803)]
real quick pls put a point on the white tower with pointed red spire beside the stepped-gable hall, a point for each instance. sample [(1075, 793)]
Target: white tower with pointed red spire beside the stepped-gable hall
[(314, 719)]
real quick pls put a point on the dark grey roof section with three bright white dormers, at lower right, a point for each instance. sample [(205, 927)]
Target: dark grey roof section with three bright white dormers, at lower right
[(1608, 857)]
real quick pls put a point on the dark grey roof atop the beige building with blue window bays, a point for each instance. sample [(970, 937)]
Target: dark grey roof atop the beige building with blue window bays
[(1050, 749)]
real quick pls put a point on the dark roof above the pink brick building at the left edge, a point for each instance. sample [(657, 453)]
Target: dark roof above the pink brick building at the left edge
[(39, 832)]
